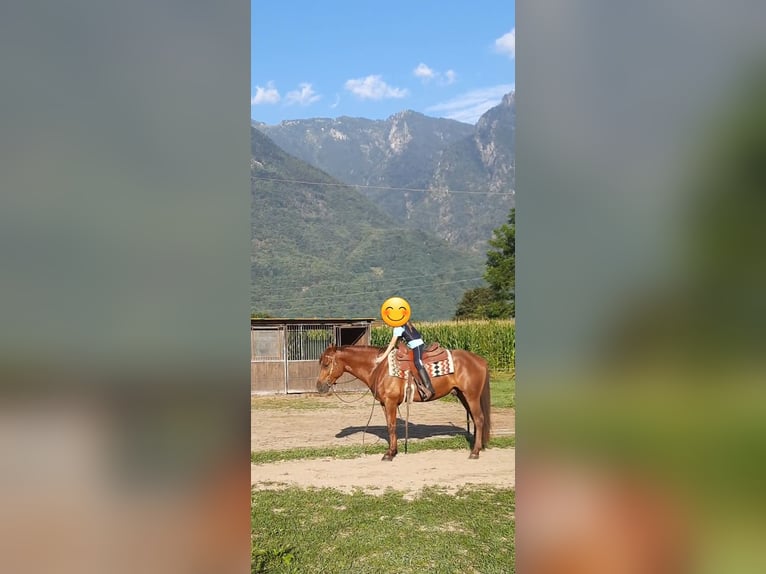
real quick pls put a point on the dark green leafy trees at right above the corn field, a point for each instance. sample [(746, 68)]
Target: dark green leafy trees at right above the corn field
[(498, 300)]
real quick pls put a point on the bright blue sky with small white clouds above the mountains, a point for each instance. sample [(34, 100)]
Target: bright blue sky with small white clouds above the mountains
[(367, 59)]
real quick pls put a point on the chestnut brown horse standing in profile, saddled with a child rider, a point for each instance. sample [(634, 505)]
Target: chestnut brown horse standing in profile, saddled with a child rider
[(470, 382)]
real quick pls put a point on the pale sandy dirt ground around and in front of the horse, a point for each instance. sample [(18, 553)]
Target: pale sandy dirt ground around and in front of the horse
[(346, 423)]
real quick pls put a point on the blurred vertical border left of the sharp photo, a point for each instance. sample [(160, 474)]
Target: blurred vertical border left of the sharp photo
[(124, 286)]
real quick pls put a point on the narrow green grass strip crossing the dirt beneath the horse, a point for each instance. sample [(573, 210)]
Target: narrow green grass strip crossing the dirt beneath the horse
[(457, 442)]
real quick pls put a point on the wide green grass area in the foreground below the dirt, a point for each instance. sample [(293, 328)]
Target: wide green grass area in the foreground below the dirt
[(326, 531)]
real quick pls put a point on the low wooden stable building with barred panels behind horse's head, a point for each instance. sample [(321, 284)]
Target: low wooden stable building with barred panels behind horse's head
[(284, 353)]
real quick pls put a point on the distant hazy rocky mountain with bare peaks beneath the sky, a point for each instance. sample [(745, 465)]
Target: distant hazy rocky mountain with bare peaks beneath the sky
[(444, 177)]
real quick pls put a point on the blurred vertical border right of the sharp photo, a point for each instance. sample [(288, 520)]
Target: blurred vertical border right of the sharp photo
[(641, 289)]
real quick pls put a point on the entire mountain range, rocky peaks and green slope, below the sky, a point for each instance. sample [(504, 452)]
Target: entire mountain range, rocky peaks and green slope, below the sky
[(347, 212)]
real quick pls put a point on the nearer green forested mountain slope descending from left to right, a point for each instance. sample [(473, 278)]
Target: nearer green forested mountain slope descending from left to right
[(320, 248)]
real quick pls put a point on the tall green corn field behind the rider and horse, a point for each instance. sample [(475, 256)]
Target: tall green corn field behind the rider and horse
[(495, 340)]
